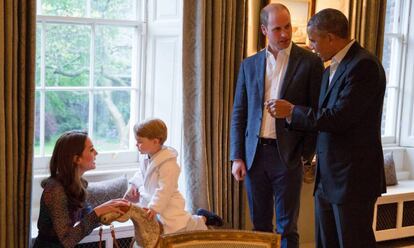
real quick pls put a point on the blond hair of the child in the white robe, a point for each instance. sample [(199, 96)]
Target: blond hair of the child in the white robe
[(151, 129)]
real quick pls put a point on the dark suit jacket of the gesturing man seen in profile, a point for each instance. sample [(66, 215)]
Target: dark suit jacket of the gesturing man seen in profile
[(350, 158)]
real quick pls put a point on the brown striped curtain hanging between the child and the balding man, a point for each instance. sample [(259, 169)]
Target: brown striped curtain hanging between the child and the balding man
[(213, 47)]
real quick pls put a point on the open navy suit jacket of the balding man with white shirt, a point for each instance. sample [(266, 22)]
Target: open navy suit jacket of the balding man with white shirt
[(301, 85)]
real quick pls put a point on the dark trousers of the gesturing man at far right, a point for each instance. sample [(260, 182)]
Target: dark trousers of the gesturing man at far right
[(343, 225)]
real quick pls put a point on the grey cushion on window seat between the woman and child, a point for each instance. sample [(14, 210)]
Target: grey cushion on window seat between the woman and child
[(103, 191)]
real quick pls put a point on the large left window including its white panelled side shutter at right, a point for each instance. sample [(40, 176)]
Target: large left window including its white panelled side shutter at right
[(98, 66)]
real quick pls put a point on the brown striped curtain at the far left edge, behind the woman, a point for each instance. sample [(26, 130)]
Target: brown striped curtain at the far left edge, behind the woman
[(17, 67)]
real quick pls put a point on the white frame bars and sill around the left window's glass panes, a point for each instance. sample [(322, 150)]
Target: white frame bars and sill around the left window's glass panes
[(107, 160)]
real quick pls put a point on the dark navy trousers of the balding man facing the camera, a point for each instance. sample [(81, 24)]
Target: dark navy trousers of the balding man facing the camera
[(271, 186)]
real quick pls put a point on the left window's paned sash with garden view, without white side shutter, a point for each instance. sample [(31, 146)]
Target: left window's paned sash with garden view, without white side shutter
[(88, 61)]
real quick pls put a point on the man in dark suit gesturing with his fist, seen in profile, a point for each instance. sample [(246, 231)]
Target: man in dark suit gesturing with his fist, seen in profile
[(350, 169)]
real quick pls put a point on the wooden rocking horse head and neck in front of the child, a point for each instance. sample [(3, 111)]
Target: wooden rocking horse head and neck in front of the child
[(147, 231)]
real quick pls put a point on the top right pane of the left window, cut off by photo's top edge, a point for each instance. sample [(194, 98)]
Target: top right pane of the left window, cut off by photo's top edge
[(114, 9)]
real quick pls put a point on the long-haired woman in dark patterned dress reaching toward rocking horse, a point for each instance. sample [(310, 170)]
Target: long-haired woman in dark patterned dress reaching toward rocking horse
[(64, 217)]
